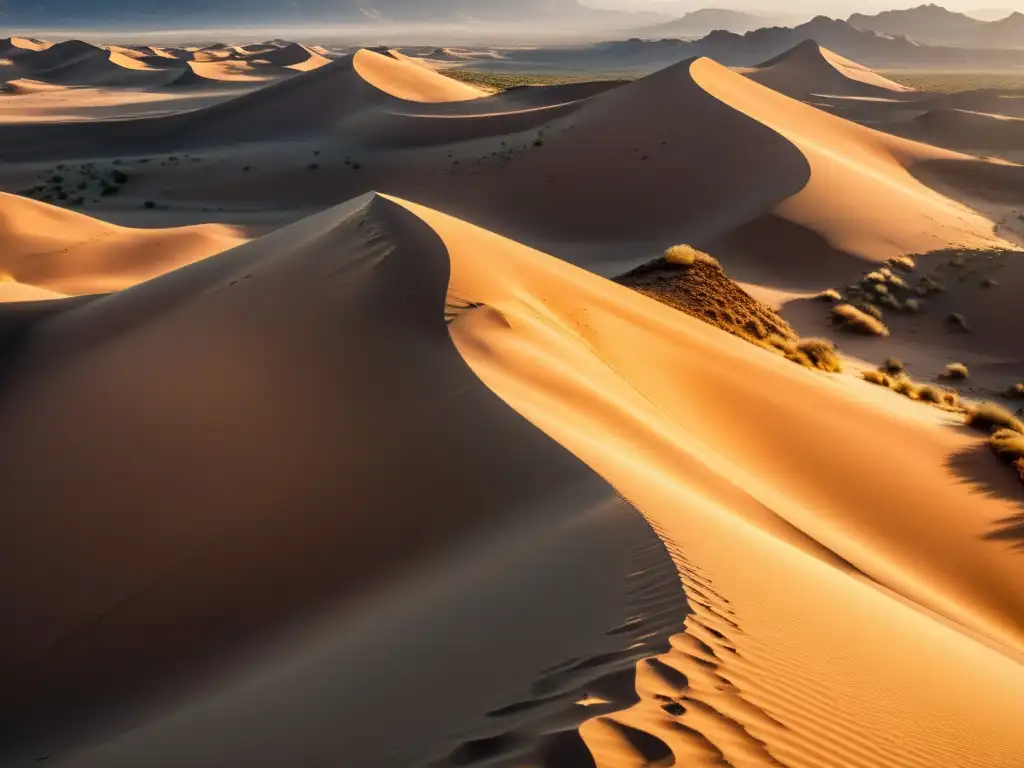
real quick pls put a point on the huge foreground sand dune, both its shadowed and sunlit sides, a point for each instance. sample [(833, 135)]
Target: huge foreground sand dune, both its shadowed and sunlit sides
[(799, 584)]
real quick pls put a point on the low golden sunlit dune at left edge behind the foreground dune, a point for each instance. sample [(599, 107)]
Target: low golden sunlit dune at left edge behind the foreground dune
[(45, 248)]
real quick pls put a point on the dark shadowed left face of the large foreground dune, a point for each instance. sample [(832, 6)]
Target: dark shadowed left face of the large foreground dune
[(303, 436)]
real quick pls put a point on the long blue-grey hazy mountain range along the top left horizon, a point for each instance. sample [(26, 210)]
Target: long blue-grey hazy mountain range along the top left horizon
[(180, 14)]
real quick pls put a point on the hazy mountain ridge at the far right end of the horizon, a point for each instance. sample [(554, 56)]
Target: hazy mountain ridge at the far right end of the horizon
[(937, 26)]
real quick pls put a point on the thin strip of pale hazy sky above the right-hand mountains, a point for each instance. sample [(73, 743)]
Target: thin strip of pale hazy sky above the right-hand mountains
[(804, 8)]
